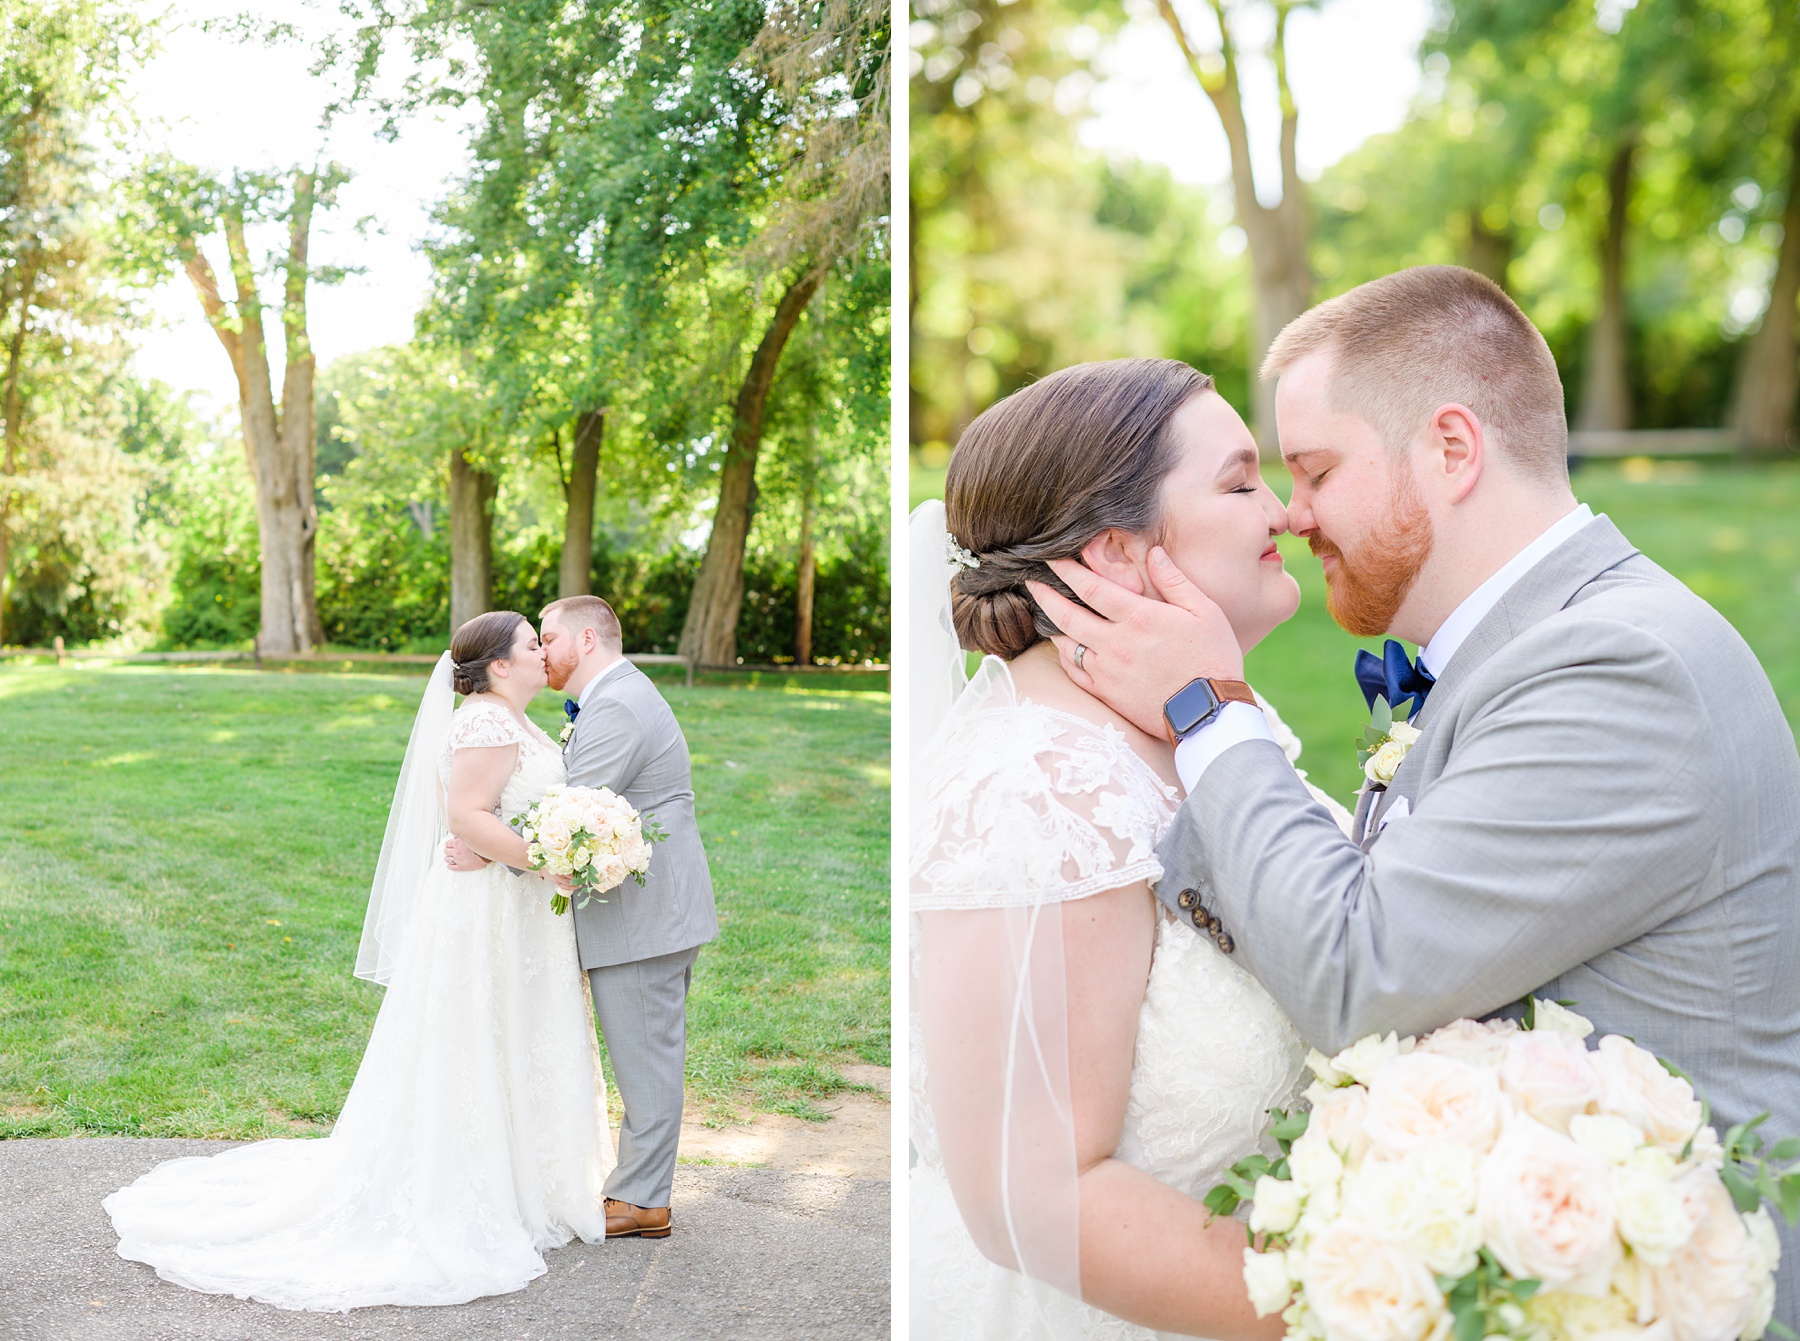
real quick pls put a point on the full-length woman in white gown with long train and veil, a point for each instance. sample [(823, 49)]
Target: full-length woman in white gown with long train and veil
[(476, 1131)]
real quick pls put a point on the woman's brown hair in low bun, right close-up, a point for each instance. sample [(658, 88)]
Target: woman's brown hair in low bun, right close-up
[(1048, 469)]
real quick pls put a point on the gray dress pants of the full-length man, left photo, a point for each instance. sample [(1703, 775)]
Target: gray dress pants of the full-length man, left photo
[(643, 1020)]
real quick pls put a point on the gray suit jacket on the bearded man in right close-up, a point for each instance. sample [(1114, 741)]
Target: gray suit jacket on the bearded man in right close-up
[(1605, 809)]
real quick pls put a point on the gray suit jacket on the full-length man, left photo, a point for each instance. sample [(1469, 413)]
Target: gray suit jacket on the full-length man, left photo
[(627, 739)]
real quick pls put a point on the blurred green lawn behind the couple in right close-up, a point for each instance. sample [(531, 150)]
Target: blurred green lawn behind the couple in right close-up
[(1729, 532)]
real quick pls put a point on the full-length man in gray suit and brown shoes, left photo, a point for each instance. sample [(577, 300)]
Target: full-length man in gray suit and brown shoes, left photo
[(640, 946)]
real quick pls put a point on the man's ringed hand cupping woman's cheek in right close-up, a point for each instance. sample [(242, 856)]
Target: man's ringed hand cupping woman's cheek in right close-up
[(1140, 651)]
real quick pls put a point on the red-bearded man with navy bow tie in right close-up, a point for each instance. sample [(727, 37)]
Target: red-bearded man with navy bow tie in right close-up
[(1603, 802)]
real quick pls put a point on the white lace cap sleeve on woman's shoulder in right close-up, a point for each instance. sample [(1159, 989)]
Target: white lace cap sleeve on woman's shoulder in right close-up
[(1025, 805)]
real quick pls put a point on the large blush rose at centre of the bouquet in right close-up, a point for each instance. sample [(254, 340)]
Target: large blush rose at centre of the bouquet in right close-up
[(1547, 1209)]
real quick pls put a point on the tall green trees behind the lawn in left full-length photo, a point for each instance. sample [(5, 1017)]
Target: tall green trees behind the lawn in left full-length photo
[(652, 363)]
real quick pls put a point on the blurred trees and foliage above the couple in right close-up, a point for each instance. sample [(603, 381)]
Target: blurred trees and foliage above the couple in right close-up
[(1628, 170)]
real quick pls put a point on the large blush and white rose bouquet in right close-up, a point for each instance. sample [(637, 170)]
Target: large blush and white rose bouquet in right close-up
[(1497, 1182)]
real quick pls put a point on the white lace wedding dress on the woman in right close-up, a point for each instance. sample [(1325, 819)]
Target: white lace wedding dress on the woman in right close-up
[(1029, 804)]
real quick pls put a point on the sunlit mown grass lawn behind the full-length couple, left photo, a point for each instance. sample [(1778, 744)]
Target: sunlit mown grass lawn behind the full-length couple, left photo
[(186, 856)]
